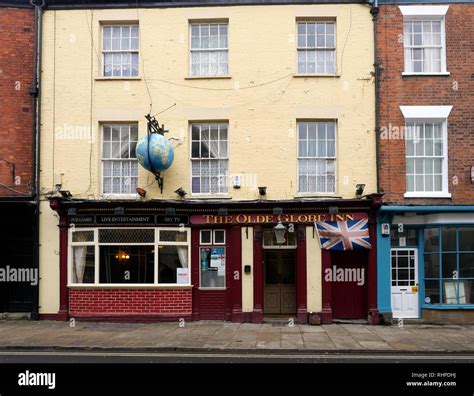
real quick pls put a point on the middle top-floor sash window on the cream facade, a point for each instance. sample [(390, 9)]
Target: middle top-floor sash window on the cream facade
[(209, 49)]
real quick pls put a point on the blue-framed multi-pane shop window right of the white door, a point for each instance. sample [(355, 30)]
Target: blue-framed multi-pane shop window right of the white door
[(449, 265)]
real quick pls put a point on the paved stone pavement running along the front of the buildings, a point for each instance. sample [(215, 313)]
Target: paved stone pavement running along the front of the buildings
[(208, 336)]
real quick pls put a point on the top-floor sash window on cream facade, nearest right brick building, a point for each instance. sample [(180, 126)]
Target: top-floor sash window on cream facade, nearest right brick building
[(316, 47)]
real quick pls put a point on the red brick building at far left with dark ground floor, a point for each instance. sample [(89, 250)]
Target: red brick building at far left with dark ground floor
[(17, 156)]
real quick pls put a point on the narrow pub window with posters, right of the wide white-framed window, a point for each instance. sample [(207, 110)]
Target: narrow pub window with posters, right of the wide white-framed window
[(212, 257)]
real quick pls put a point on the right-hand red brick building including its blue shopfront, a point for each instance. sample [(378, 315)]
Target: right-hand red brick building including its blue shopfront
[(425, 55)]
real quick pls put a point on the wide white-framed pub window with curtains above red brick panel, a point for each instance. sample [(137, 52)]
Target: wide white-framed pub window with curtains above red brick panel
[(130, 256)]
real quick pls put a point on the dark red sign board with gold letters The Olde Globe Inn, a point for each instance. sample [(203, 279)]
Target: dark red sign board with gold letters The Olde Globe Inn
[(271, 219)]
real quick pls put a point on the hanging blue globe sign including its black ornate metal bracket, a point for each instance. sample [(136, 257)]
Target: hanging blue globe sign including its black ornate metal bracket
[(154, 152)]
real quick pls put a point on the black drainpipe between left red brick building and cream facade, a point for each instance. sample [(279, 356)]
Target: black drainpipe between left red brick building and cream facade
[(35, 92)]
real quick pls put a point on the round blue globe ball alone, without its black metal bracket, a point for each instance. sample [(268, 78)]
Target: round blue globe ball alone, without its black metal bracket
[(160, 153)]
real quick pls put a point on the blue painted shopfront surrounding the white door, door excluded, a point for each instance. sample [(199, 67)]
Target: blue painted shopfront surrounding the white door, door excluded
[(444, 263)]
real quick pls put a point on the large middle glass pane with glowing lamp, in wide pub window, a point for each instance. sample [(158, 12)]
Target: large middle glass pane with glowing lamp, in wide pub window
[(126, 264)]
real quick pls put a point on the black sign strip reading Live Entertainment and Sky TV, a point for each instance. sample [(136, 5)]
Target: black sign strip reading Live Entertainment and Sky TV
[(138, 219)]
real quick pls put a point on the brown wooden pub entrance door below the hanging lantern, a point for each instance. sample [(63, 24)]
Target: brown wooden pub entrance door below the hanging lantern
[(280, 290)]
